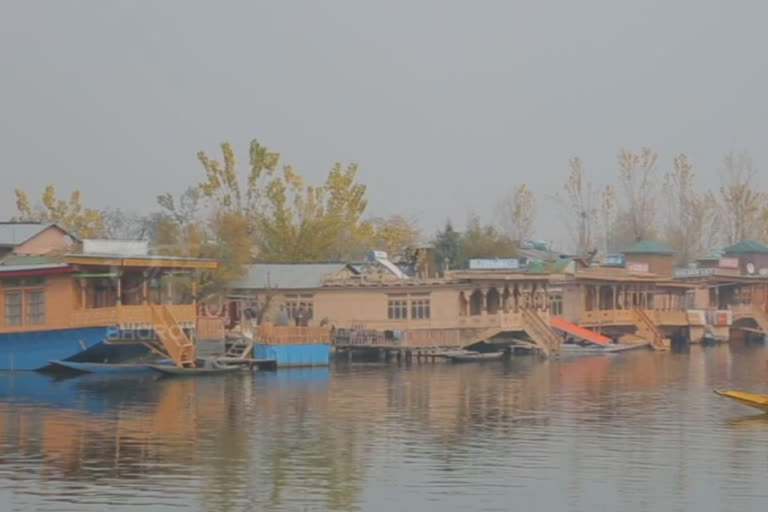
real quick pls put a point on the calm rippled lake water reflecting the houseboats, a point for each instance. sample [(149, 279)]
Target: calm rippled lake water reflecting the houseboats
[(631, 432)]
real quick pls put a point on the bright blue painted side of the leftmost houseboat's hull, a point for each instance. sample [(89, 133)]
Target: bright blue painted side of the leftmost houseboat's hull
[(34, 350)]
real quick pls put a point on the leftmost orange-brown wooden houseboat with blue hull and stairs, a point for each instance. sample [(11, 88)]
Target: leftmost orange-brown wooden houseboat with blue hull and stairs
[(111, 302)]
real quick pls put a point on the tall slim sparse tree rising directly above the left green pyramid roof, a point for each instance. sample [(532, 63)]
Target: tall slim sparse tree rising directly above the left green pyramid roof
[(637, 177)]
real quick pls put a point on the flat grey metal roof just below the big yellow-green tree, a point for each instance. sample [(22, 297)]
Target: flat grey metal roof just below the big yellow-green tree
[(287, 275)]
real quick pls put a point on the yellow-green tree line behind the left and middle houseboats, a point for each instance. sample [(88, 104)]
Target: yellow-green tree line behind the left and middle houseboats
[(264, 211)]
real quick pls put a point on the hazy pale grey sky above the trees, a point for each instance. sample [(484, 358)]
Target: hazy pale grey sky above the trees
[(445, 105)]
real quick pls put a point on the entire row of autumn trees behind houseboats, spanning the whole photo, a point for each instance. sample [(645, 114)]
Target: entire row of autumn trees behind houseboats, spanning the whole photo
[(265, 211)]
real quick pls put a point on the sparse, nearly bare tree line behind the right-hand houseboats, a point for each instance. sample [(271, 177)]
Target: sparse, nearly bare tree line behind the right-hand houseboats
[(647, 200)]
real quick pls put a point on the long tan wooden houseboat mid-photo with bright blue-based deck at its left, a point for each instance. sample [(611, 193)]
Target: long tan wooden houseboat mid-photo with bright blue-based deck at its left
[(372, 304)]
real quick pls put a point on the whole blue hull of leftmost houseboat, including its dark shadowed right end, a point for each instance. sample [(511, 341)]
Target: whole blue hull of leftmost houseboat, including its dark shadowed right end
[(35, 350)]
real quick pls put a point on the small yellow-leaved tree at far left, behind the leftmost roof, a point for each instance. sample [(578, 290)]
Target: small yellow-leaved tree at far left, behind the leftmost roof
[(69, 214)]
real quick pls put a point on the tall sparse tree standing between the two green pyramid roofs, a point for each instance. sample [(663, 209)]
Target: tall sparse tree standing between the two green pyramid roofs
[(692, 217)]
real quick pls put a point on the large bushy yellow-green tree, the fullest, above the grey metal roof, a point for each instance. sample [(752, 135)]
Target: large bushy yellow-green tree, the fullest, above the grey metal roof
[(291, 221)]
